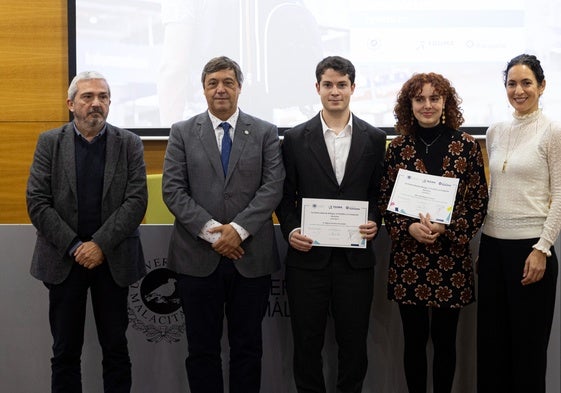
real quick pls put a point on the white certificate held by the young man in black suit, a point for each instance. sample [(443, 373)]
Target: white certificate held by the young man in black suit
[(334, 222)]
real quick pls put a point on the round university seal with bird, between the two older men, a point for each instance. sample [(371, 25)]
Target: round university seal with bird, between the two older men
[(154, 305)]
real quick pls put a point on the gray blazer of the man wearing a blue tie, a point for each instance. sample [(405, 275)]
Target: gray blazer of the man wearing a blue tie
[(196, 190)]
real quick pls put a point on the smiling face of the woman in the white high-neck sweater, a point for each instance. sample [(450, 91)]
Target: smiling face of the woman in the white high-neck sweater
[(523, 90)]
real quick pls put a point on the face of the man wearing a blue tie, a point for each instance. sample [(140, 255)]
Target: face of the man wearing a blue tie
[(222, 91)]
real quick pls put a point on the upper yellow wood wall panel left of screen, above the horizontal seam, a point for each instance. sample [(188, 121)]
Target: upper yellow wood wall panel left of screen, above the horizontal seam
[(34, 66)]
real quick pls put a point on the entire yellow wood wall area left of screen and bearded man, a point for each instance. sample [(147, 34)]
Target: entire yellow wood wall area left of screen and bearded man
[(34, 78)]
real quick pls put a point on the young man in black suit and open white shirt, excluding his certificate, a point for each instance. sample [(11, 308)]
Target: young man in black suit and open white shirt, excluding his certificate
[(335, 155)]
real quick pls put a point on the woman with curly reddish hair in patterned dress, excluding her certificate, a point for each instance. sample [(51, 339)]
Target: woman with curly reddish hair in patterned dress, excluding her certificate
[(430, 273)]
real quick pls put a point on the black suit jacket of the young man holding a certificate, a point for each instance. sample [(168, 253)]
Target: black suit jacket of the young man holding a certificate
[(309, 174)]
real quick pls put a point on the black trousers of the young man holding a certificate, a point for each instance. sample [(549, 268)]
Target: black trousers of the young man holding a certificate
[(348, 293)]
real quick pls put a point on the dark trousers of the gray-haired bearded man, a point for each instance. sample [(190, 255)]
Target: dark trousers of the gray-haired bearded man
[(67, 314)]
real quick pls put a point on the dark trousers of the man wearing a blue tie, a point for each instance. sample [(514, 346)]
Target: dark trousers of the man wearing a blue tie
[(205, 300)]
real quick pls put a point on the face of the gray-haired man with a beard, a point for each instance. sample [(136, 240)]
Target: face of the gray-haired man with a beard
[(90, 106)]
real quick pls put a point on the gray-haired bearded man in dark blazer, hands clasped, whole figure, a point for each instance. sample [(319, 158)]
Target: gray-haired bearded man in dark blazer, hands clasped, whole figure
[(86, 195)]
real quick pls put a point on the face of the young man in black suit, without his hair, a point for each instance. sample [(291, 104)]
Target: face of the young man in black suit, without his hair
[(335, 91)]
